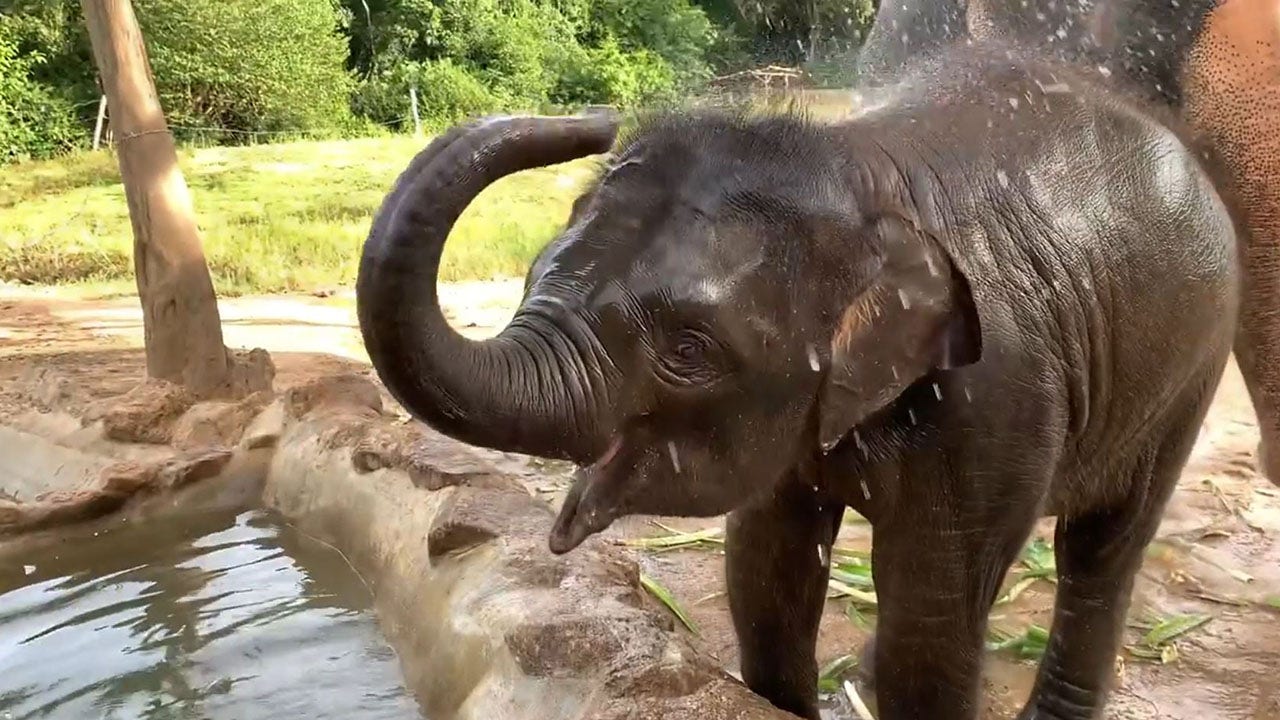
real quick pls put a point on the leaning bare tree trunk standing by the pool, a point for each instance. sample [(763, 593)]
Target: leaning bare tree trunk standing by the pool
[(180, 312)]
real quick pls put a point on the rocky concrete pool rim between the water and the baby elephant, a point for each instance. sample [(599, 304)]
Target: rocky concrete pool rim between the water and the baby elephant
[(490, 625)]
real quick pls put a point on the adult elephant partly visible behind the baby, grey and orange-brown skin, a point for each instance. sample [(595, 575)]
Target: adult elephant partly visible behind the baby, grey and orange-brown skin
[(1214, 62)]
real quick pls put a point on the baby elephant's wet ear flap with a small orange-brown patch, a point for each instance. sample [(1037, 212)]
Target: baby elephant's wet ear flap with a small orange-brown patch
[(917, 316)]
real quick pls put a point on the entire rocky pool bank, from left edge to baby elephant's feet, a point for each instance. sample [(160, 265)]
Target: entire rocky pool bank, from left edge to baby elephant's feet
[(487, 623)]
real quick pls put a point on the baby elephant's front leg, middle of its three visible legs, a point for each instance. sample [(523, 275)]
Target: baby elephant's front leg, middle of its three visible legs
[(936, 577)]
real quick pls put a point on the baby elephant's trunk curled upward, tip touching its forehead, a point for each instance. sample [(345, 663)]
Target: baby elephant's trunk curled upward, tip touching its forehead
[(505, 393)]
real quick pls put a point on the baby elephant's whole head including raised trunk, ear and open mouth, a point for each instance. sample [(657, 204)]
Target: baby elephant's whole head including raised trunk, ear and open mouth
[(719, 309)]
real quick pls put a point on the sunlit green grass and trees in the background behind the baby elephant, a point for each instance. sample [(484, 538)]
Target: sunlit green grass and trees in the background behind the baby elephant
[(291, 117)]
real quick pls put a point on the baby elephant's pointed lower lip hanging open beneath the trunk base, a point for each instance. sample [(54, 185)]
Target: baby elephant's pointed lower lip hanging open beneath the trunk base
[(592, 504)]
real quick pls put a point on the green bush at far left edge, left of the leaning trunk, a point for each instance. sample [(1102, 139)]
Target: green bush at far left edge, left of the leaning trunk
[(34, 121)]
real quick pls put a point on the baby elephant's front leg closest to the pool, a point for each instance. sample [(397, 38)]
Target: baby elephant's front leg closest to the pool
[(778, 562)]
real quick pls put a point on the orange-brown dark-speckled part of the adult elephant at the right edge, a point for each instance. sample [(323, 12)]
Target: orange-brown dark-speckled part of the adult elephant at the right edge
[(1233, 94)]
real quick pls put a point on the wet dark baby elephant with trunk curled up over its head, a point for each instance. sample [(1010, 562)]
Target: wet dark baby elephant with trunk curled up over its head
[(1003, 293)]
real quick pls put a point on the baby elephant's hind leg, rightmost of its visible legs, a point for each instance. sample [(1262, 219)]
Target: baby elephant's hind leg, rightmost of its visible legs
[(1099, 555)]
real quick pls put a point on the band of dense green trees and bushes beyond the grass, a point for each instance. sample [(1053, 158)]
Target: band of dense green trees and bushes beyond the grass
[(235, 70)]
